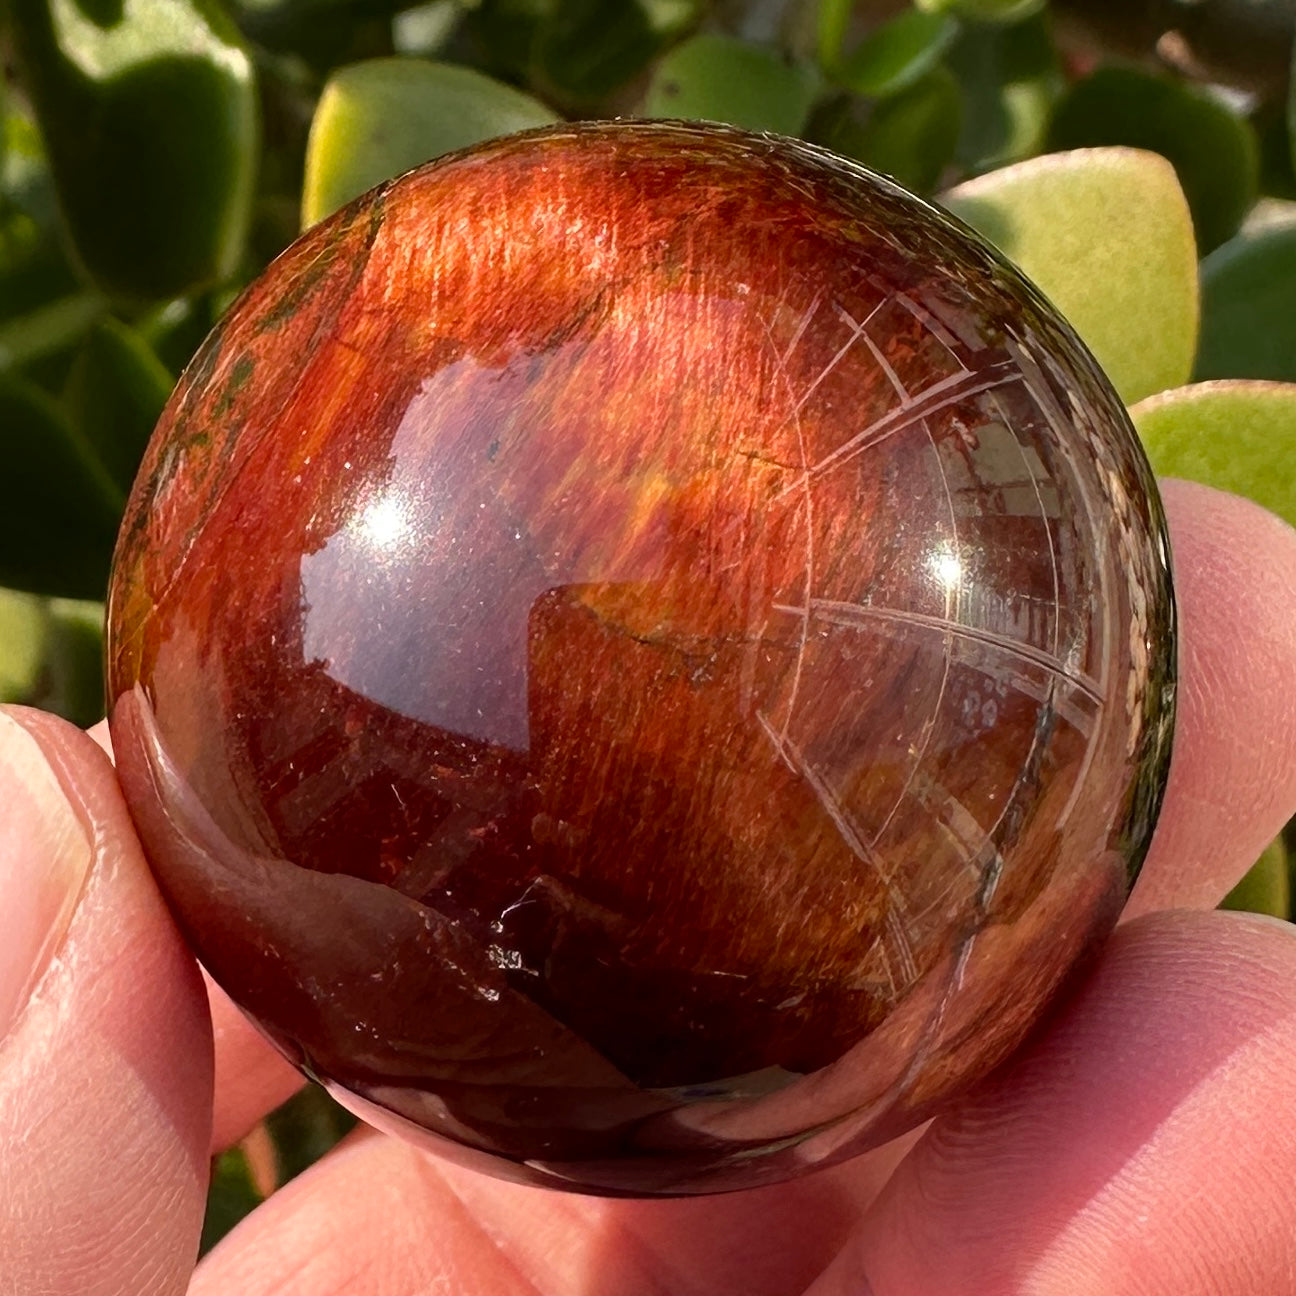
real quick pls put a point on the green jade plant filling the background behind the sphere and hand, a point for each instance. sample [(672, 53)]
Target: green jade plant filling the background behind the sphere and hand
[(157, 155)]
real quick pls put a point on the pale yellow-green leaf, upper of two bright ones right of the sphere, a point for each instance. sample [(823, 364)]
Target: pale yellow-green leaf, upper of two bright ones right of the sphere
[(1106, 235)]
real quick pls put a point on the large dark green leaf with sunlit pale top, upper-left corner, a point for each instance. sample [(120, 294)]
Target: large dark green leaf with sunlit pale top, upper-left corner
[(148, 110)]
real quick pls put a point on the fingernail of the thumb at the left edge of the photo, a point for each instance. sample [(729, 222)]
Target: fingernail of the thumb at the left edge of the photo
[(45, 860)]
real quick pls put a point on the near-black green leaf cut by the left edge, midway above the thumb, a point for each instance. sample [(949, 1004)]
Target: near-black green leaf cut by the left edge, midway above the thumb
[(62, 513)]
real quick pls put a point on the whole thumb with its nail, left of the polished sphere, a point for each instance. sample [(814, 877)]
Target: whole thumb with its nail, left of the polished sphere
[(106, 1044)]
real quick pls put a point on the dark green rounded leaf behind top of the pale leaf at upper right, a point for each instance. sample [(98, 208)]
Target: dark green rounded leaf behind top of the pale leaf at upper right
[(1212, 148)]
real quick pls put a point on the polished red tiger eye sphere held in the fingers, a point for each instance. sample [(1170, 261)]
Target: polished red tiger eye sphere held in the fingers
[(642, 655)]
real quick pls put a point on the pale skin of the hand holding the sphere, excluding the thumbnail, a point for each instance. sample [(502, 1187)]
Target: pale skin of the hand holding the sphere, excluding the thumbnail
[(1144, 1142)]
